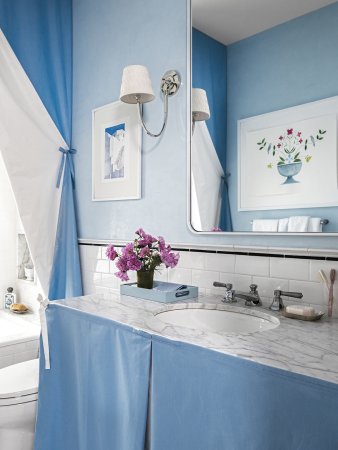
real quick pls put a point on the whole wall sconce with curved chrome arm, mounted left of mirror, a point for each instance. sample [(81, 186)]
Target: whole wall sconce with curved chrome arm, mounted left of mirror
[(136, 88)]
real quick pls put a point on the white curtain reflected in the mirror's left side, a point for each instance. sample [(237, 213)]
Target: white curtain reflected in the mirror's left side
[(206, 181)]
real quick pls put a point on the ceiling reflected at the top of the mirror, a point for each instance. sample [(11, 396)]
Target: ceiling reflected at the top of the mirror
[(230, 21)]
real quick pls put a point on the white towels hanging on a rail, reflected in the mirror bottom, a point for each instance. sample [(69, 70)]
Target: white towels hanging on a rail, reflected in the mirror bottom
[(293, 224)]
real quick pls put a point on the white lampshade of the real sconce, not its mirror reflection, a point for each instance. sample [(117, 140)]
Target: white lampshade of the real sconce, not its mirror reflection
[(136, 85)]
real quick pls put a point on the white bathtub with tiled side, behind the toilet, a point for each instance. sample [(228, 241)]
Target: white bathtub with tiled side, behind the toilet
[(19, 338)]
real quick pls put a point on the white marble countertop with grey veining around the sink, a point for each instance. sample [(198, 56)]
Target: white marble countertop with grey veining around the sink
[(308, 348)]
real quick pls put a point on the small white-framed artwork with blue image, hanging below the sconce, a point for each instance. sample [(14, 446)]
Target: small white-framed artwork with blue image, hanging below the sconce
[(116, 152)]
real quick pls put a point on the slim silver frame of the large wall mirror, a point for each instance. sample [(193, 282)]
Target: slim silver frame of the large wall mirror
[(189, 140)]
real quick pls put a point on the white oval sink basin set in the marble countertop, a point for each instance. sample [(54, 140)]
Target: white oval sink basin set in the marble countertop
[(219, 320)]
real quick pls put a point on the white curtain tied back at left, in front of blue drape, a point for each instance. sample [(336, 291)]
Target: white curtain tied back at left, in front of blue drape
[(29, 141)]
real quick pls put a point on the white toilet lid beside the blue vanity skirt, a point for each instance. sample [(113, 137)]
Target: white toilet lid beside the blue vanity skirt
[(19, 379)]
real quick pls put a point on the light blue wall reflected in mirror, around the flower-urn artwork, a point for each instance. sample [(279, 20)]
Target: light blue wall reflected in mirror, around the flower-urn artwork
[(291, 64)]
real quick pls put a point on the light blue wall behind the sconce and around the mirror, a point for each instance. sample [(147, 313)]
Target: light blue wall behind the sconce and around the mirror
[(107, 36)]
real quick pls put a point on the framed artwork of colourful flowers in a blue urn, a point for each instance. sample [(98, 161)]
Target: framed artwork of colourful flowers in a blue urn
[(288, 159)]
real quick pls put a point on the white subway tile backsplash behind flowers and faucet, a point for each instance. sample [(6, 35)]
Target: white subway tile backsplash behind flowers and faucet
[(203, 268)]
